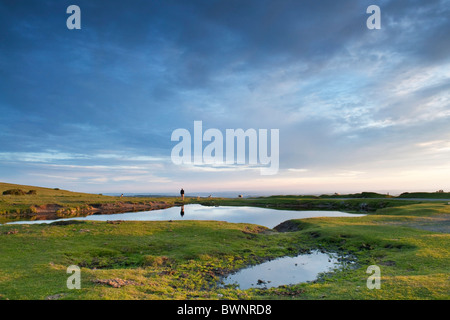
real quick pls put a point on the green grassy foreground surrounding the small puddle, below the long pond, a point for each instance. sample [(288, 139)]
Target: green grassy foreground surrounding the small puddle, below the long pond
[(185, 259)]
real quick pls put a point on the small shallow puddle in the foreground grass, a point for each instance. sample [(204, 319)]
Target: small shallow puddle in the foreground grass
[(284, 271)]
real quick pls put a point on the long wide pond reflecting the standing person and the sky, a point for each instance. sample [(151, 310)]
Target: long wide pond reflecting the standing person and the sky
[(260, 216)]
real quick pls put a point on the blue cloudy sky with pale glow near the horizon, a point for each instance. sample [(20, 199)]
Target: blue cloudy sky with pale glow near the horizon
[(357, 109)]
